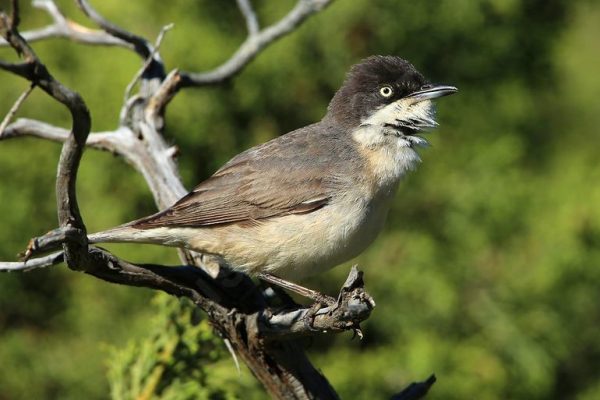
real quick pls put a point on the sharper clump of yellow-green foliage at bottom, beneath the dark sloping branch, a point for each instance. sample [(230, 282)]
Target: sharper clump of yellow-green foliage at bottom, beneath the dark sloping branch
[(176, 361)]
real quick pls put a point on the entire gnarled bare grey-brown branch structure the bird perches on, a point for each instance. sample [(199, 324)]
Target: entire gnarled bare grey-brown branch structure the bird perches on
[(256, 332)]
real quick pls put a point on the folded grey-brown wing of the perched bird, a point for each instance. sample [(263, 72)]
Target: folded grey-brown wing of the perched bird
[(252, 187)]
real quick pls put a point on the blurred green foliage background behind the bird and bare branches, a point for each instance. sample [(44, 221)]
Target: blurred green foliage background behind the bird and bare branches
[(487, 273)]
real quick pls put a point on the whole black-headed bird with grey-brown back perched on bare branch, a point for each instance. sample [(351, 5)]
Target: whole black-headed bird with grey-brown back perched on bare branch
[(313, 198)]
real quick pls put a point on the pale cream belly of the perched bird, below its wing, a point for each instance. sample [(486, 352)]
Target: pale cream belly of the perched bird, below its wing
[(296, 246)]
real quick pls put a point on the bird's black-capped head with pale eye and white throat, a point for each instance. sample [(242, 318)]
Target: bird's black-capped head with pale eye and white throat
[(388, 100)]
